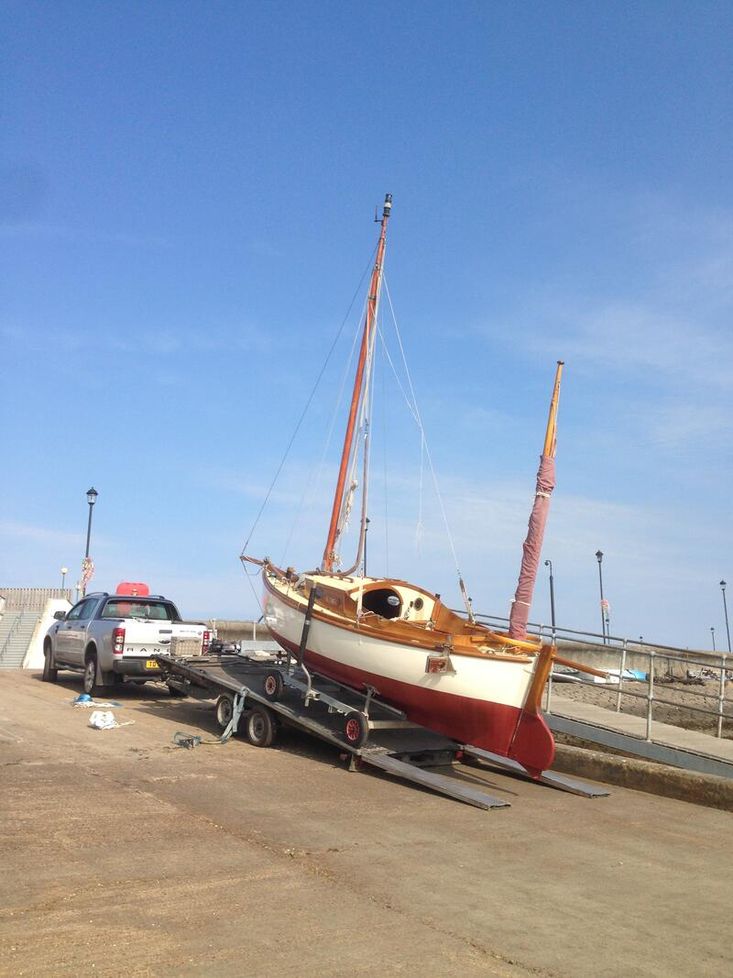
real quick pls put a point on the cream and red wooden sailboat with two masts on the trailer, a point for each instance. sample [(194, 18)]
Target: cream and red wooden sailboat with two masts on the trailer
[(444, 670)]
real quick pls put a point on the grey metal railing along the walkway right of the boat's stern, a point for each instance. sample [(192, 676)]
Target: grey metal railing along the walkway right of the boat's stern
[(664, 665)]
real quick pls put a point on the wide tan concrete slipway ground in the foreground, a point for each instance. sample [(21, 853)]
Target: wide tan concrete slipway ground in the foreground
[(124, 855)]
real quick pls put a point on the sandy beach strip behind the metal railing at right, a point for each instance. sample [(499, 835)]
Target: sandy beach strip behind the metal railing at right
[(675, 703)]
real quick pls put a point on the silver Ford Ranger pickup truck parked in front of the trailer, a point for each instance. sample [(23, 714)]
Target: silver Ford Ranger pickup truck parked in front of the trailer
[(113, 638)]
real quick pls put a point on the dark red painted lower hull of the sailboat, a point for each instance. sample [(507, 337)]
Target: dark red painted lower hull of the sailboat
[(504, 730)]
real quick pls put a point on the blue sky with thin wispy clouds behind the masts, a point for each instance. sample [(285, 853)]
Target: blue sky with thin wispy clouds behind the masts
[(186, 210)]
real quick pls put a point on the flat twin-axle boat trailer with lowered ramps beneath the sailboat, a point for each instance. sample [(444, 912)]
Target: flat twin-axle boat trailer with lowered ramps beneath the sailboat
[(257, 693)]
